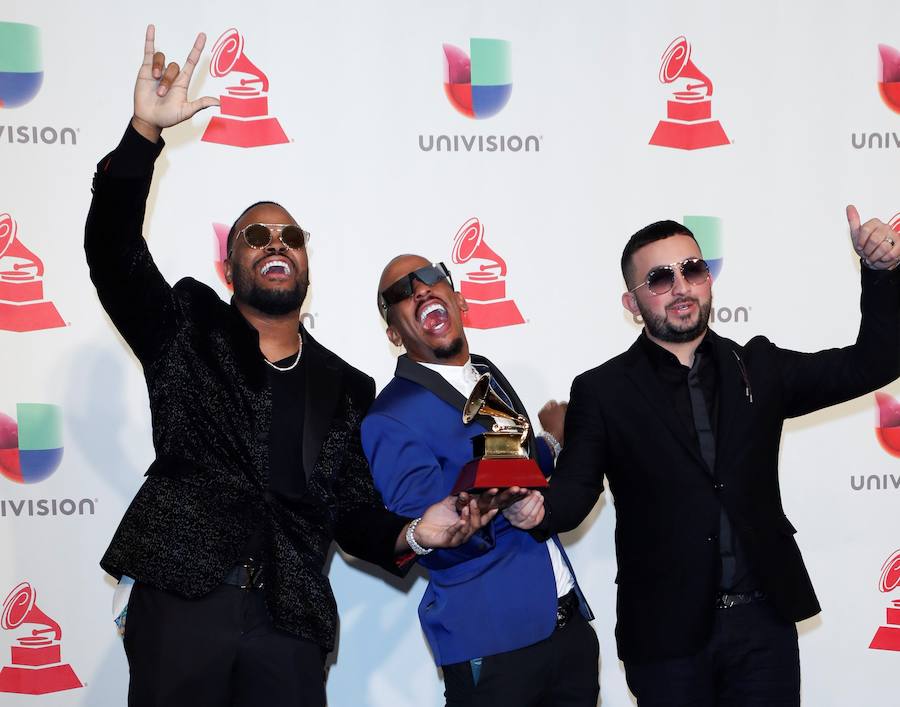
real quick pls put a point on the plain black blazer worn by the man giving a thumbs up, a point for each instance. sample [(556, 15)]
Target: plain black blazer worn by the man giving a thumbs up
[(621, 424)]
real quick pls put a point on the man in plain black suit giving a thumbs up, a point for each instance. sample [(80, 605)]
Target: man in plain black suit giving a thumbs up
[(685, 426)]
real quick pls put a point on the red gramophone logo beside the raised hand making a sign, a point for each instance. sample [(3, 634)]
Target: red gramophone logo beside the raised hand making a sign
[(244, 119)]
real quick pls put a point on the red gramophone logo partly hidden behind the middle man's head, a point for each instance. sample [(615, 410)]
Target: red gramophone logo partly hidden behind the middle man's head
[(484, 286)]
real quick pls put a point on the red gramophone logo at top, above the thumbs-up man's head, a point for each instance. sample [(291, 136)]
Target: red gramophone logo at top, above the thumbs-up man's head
[(690, 125)]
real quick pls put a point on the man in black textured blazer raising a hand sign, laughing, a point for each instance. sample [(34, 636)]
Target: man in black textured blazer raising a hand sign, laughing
[(258, 458)]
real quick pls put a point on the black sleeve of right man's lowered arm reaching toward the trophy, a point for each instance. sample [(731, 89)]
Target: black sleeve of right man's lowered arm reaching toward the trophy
[(577, 482)]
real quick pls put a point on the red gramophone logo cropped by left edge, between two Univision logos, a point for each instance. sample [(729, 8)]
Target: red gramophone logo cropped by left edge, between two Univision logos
[(22, 303)]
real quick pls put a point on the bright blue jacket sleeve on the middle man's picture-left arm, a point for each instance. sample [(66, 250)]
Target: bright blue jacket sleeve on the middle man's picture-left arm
[(410, 479)]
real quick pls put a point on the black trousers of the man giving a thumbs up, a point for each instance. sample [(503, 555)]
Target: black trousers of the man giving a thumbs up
[(751, 660)]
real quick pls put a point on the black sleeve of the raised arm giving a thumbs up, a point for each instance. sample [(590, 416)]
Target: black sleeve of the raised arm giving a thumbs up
[(811, 381)]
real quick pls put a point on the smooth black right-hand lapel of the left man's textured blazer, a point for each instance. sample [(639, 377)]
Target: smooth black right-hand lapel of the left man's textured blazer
[(323, 389)]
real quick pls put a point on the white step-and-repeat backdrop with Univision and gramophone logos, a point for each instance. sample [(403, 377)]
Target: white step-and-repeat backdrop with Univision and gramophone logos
[(519, 142)]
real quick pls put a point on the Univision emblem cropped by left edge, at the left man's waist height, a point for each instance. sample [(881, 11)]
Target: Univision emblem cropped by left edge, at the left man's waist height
[(31, 447)]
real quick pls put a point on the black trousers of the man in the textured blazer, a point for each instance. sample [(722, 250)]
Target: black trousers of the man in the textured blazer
[(217, 651)]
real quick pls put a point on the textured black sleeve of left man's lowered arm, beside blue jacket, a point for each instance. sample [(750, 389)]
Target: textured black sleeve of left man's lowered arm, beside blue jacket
[(364, 528)]
